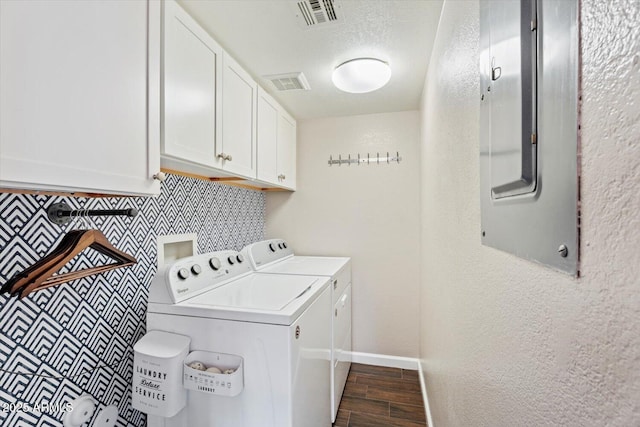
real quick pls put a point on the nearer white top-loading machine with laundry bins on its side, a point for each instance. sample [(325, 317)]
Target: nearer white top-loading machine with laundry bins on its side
[(278, 324)]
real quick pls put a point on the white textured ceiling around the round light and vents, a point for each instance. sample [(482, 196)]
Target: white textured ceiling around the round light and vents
[(265, 38)]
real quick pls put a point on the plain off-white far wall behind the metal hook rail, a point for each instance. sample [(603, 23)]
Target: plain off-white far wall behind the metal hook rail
[(370, 213)]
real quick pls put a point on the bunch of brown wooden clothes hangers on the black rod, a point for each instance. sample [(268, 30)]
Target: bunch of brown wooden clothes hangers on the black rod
[(41, 274)]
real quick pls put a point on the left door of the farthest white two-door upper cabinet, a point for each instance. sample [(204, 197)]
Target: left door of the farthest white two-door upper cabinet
[(267, 137)]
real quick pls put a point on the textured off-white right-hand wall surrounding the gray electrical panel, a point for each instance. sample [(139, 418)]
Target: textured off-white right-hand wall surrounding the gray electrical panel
[(505, 342)]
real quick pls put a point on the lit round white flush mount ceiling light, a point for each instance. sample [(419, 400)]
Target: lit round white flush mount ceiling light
[(361, 75)]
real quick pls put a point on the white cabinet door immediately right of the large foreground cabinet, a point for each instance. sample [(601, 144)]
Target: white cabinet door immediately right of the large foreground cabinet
[(192, 64)]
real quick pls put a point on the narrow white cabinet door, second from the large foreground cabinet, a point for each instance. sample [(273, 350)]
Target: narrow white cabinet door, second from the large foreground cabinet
[(239, 104)]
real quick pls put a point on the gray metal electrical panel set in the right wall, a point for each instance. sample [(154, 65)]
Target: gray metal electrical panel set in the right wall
[(529, 129)]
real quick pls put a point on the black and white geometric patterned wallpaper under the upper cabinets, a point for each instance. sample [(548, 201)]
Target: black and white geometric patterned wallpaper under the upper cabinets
[(78, 337)]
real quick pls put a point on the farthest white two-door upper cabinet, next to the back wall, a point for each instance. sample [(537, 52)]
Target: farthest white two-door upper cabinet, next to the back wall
[(276, 134)]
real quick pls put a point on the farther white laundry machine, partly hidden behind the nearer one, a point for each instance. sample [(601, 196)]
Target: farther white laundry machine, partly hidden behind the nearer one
[(276, 257)]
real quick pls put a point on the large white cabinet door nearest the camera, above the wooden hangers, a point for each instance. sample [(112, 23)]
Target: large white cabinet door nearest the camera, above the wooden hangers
[(76, 79)]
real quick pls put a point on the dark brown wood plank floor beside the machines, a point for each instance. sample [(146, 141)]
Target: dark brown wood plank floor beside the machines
[(377, 396)]
